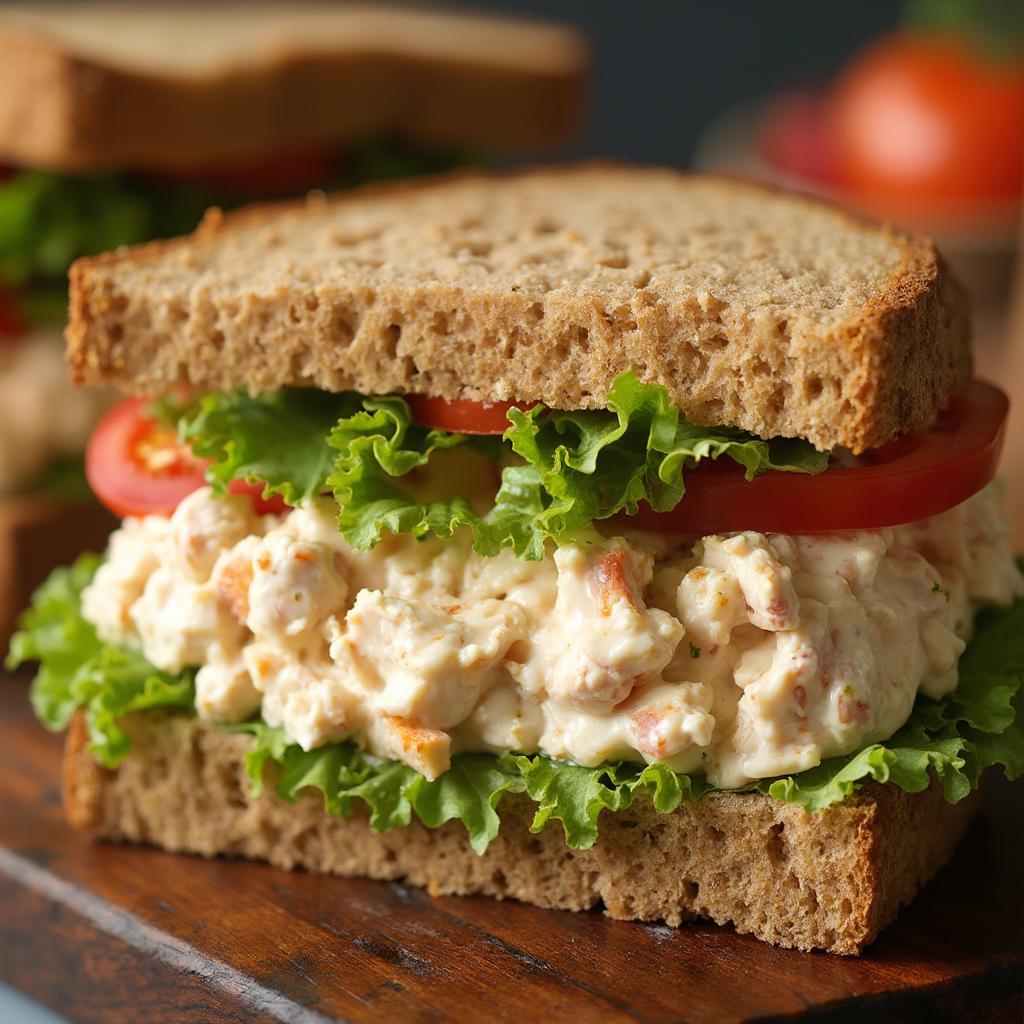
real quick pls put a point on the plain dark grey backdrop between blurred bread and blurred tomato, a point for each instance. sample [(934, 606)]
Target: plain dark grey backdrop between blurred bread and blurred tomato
[(666, 68)]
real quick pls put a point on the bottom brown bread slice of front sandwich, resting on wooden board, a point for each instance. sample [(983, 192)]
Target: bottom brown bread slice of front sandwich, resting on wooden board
[(828, 881)]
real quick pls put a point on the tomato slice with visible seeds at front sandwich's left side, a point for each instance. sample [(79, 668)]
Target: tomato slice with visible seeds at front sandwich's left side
[(138, 466)]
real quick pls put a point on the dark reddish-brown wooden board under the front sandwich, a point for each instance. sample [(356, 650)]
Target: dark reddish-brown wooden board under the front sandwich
[(114, 934)]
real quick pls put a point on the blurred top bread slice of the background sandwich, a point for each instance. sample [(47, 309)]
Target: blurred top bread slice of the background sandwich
[(158, 86)]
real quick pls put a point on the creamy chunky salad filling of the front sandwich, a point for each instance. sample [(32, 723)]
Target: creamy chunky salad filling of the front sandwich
[(746, 657)]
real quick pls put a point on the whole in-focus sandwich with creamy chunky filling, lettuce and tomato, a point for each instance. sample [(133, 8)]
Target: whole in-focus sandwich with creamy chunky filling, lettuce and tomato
[(588, 536)]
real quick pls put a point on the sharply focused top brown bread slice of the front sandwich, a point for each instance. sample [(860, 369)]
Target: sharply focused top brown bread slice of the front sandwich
[(756, 309)]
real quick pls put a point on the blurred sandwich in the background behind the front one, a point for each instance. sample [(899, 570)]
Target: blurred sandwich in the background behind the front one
[(120, 123)]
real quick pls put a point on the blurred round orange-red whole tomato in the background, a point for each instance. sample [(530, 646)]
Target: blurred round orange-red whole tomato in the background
[(921, 120)]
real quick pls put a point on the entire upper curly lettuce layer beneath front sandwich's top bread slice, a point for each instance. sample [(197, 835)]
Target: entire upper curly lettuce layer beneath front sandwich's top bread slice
[(564, 471)]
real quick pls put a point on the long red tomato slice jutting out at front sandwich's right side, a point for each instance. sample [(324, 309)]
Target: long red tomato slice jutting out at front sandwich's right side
[(915, 478)]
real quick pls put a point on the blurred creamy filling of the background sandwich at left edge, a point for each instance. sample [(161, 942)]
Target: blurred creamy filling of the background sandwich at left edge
[(42, 416)]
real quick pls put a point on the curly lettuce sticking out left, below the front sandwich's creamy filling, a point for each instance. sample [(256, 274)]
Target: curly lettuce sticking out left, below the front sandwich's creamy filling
[(78, 671)]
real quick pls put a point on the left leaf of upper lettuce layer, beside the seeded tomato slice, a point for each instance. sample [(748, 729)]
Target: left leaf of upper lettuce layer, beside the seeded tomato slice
[(298, 443)]
